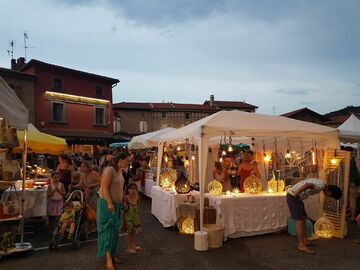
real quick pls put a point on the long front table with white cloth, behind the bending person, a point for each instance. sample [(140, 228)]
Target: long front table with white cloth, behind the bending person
[(254, 214)]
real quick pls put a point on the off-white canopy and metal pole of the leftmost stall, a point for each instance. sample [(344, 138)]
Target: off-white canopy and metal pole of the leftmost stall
[(13, 110)]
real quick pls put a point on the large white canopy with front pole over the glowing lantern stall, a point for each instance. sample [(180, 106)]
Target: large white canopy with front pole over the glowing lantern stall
[(260, 129)]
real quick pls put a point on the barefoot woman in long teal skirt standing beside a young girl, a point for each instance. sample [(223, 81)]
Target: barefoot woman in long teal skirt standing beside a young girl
[(109, 208)]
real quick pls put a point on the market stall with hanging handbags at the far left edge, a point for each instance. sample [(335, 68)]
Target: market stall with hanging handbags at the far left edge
[(13, 113)]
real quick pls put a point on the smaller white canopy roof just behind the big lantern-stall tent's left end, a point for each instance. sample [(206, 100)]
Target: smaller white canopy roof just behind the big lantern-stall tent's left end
[(148, 140)]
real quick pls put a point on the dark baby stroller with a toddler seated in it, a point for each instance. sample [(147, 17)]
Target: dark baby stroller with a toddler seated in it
[(77, 199)]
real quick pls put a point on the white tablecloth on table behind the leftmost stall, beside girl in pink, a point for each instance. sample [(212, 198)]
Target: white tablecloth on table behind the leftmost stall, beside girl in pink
[(35, 201)]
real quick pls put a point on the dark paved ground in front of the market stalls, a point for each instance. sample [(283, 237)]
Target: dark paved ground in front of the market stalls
[(167, 249)]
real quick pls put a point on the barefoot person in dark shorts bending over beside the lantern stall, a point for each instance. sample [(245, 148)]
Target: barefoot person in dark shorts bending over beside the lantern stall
[(295, 197)]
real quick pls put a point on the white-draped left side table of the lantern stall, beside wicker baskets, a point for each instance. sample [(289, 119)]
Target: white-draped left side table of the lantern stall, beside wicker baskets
[(164, 204)]
